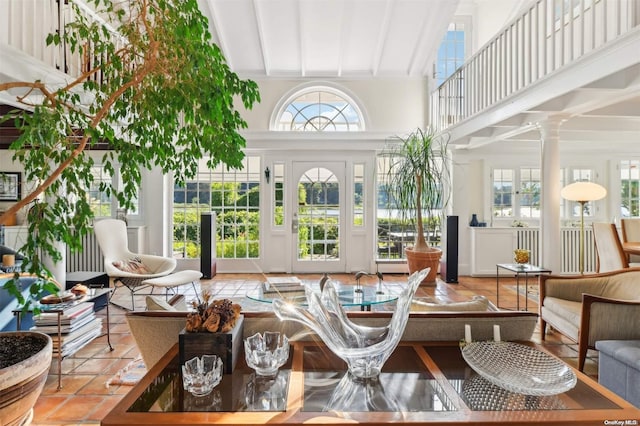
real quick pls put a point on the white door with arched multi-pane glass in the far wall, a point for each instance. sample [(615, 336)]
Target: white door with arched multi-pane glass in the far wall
[(317, 200)]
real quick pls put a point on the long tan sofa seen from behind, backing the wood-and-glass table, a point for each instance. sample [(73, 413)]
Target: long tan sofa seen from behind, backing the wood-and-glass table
[(156, 329)]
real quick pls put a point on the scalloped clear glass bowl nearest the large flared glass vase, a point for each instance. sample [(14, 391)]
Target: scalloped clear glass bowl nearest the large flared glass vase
[(267, 352)]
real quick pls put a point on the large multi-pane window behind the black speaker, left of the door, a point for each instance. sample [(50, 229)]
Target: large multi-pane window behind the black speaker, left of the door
[(234, 196)]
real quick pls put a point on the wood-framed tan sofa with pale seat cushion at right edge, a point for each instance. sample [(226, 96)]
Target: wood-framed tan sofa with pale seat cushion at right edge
[(588, 308)]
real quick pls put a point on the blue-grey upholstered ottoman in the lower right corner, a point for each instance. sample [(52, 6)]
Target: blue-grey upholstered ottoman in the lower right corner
[(619, 368)]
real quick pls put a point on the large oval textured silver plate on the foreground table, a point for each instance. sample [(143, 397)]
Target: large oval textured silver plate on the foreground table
[(519, 368)]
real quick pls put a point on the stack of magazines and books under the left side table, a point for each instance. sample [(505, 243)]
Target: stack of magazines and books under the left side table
[(78, 326)]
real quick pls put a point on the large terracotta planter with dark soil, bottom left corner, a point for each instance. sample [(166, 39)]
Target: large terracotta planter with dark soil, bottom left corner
[(22, 382)]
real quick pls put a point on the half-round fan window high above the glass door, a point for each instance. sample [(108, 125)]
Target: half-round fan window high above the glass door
[(319, 109)]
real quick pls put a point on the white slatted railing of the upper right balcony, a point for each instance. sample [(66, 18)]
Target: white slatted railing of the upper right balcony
[(548, 36)]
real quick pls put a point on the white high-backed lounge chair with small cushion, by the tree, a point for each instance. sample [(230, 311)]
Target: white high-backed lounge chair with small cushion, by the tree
[(123, 267)]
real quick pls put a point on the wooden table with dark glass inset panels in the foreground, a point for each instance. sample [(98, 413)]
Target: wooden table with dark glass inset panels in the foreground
[(421, 383)]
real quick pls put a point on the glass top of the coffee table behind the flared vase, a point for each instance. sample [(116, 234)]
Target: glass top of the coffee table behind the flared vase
[(349, 295)]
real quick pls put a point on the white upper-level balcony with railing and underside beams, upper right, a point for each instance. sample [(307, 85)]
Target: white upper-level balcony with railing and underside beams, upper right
[(576, 60)]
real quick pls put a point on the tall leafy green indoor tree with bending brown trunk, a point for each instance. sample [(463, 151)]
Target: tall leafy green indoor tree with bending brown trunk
[(155, 92)]
